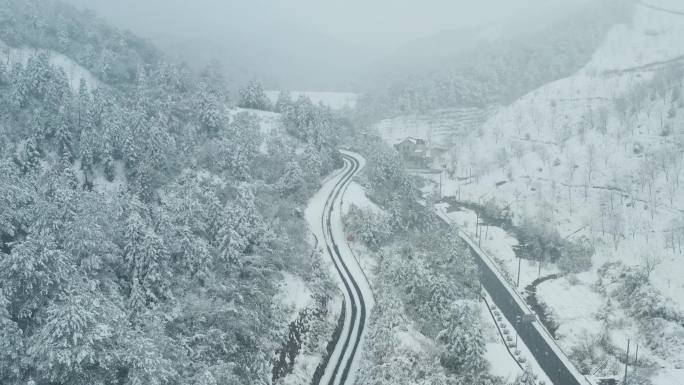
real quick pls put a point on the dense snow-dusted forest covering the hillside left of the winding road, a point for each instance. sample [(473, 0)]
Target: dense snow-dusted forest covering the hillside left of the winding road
[(144, 224)]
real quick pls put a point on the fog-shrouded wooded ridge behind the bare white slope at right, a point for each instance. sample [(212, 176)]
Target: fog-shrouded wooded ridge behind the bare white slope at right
[(489, 67)]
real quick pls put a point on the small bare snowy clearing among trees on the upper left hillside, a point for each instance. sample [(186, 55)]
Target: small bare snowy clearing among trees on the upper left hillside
[(74, 72)]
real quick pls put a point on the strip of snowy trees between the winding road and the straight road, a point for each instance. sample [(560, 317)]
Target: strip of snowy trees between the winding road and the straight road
[(426, 324)]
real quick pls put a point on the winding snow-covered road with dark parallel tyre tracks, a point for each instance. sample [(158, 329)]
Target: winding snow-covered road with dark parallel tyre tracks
[(324, 217)]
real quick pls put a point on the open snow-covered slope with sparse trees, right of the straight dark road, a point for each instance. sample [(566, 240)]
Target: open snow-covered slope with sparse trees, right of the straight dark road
[(595, 159)]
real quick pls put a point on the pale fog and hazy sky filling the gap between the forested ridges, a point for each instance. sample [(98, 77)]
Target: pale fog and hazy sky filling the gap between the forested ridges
[(300, 44)]
